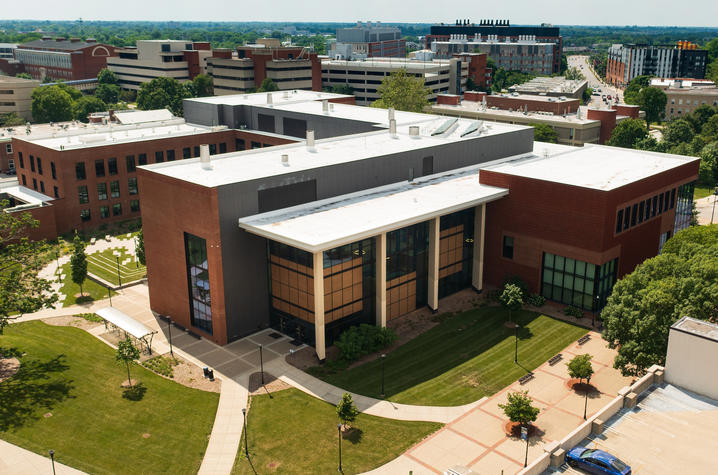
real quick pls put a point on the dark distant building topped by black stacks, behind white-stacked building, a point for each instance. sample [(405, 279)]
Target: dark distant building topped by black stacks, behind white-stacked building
[(502, 31)]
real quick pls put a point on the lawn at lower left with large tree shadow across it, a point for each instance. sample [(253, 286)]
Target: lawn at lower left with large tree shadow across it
[(72, 375)]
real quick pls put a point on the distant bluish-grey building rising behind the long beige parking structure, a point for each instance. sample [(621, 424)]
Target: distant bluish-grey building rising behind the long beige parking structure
[(368, 41)]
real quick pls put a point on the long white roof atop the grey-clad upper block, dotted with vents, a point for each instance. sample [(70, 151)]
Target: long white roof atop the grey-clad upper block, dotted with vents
[(259, 163)]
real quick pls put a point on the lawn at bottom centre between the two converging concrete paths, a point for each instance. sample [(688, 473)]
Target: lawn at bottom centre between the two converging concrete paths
[(293, 432)]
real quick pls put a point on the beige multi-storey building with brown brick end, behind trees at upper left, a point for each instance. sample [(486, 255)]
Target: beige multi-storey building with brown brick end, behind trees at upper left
[(150, 59)]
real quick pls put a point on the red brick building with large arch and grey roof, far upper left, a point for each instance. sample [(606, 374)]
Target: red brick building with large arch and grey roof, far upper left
[(63, 59)]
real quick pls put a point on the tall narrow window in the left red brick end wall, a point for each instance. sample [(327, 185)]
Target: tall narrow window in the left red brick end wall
[(198, 282)]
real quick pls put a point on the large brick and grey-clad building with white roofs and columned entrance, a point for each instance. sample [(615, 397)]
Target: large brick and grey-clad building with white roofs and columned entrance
[(378, 213)]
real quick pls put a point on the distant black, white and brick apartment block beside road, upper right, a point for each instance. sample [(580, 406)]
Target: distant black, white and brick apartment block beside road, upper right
[(683, 60)]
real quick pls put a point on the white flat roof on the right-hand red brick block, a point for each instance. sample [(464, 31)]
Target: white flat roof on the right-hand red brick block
[(592, 166)]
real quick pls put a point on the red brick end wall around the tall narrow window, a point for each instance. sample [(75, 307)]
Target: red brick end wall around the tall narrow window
[(172, 207)]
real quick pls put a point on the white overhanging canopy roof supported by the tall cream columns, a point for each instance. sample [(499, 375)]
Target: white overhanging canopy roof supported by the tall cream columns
[(326, 224)]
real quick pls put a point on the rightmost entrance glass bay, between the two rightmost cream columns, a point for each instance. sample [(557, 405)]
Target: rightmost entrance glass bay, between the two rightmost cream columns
[(456, 251)]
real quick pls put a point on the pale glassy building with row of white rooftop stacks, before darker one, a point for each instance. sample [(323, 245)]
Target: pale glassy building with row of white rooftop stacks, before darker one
[(524, 54)]
